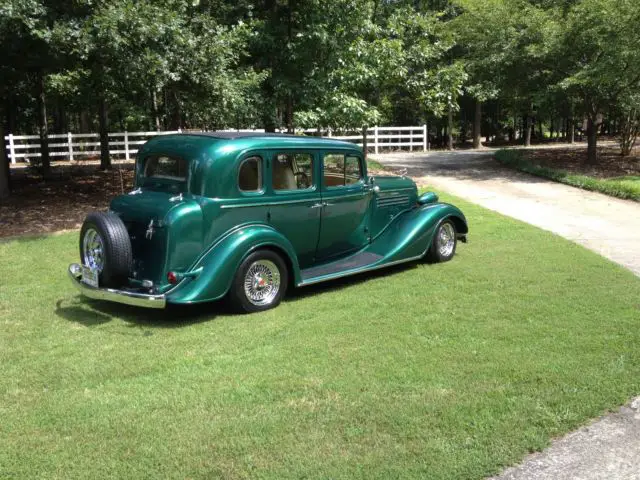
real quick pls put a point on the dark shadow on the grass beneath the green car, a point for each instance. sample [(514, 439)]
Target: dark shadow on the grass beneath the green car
[(92, 313)]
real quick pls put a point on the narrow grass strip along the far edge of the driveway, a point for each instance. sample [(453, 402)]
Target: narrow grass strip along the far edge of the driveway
[(627, 187)]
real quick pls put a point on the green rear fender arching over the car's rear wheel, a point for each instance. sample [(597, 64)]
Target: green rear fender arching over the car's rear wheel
[(221, 261)]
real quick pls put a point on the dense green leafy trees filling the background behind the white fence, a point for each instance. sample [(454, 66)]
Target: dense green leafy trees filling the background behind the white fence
[(498, 67)]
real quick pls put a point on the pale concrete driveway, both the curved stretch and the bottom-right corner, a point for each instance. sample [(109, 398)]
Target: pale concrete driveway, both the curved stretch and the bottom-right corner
[(609, 448)]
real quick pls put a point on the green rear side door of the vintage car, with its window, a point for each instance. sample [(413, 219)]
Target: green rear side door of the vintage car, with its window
[(295, 203)]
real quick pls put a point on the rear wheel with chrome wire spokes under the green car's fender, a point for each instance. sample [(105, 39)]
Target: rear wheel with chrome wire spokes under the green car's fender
[(259, 283)]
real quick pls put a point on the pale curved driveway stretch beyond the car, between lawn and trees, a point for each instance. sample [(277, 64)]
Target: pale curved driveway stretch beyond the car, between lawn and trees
[(606, 225)]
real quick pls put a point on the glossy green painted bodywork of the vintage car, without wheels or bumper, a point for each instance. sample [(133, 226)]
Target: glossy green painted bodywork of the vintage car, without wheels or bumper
[(205, 225)]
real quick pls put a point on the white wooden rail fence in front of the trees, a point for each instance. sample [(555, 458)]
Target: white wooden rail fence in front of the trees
[(77, 146)]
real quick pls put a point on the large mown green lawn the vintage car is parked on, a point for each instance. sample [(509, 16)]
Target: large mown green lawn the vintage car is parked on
[(426, 371)]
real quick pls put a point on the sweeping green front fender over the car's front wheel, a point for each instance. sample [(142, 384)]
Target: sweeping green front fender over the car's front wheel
[(410, 235)]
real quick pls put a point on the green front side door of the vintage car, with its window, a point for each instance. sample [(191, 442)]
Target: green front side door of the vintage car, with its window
[(345, 212)]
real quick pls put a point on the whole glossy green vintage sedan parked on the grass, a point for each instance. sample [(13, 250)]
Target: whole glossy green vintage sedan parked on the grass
[(248, 215)]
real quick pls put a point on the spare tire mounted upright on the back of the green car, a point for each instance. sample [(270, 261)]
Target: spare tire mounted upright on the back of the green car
[(106, 248)]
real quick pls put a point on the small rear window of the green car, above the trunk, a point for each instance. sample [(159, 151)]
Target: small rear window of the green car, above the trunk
[(165, 172)]
